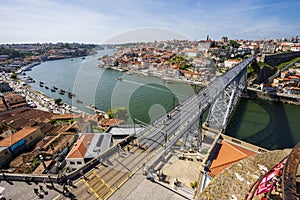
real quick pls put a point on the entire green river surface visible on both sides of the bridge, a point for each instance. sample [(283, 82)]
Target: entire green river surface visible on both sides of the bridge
[(267, 124)]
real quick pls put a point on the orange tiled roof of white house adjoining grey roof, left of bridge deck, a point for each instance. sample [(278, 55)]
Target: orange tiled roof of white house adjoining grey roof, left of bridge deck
[(81, 146)]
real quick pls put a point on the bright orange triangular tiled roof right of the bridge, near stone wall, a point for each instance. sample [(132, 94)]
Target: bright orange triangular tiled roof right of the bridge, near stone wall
[(228, 154)]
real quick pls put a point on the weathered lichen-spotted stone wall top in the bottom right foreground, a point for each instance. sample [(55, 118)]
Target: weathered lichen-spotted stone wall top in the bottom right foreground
[(236, 181)]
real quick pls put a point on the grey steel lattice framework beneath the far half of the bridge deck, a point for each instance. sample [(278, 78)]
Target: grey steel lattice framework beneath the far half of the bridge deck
[(224, 104)]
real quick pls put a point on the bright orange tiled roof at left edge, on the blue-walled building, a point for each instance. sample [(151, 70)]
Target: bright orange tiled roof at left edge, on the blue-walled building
[(12, 139)]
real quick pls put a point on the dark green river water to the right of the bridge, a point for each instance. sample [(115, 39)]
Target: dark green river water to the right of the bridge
[(271, 125)]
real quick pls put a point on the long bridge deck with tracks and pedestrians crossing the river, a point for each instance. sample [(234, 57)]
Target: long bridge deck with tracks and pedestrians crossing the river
[(121, 165)]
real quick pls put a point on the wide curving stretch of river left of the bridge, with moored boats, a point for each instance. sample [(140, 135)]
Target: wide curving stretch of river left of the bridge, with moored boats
[(146, 98)]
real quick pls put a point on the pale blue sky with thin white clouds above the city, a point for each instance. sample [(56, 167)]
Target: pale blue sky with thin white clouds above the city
[(120, 21)]
